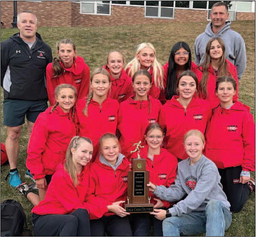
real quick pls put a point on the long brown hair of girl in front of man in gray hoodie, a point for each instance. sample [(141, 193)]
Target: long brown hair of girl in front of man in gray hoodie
[(222, 69)]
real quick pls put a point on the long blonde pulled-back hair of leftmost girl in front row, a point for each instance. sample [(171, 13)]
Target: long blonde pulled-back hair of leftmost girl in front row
[(70, 166)]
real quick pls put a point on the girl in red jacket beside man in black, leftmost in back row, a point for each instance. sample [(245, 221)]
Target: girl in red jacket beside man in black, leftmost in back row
[(67, 68)]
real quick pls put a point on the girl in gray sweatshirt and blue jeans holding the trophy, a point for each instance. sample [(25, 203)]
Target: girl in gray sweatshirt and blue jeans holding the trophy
[(202, 205)]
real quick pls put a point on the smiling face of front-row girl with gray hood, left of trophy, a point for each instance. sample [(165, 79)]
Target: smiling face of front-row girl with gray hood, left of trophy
[(110, 149)]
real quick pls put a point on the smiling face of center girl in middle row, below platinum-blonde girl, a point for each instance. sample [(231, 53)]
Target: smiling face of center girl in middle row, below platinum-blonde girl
[(141, 87)]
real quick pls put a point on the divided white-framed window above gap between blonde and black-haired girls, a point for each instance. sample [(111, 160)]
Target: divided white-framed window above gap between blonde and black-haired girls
[(160, 9)]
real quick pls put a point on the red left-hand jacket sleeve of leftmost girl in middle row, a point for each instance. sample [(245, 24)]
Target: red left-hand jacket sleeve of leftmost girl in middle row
[(36, 147)]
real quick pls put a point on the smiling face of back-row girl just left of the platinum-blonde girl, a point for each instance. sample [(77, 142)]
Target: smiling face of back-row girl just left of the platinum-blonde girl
[(115, 63)]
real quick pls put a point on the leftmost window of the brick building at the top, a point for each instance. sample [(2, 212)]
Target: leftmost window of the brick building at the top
[(100, 8)]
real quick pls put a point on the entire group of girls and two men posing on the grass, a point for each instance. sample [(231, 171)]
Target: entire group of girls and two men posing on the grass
[(86, 128)]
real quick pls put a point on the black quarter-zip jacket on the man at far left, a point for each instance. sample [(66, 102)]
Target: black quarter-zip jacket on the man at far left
[(23, 69)]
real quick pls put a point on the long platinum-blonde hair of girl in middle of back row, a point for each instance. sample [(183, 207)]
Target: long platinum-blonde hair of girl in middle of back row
[(134, 65)]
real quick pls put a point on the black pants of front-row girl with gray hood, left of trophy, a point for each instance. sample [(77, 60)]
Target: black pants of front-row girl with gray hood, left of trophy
[(110, 226)]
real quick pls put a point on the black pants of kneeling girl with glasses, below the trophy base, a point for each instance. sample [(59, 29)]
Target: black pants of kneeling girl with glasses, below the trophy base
[(142, 222)]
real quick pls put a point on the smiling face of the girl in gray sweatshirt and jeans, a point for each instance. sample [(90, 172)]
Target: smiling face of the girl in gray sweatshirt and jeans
[(194, 147)]
